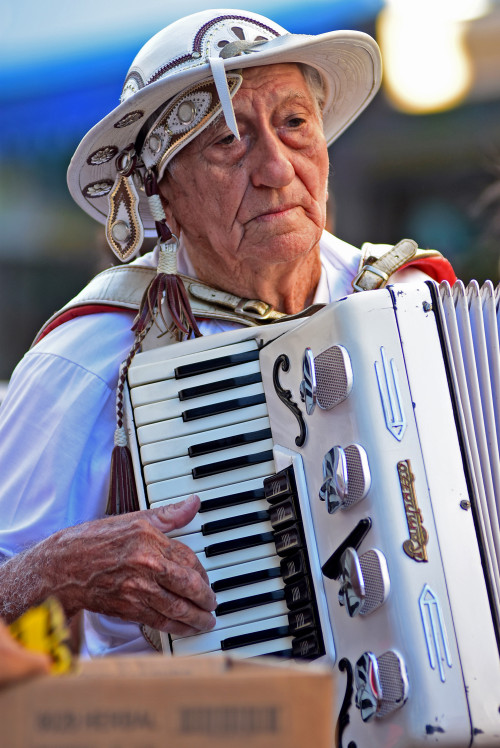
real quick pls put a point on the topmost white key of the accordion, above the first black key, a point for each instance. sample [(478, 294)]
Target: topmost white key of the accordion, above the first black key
[(163, 367)]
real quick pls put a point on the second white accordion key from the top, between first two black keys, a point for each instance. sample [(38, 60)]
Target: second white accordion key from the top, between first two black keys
[(169, 388)]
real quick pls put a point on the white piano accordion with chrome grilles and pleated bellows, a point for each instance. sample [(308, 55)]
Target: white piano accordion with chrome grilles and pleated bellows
[(348, 468)]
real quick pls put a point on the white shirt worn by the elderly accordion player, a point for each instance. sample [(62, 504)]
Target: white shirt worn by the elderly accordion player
[(57, 424)]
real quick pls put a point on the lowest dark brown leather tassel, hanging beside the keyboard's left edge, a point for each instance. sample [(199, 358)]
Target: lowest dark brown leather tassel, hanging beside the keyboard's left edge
[(122, 497)]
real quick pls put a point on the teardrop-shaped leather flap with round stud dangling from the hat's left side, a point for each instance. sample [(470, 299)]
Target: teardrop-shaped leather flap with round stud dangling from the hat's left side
[(124, 230)]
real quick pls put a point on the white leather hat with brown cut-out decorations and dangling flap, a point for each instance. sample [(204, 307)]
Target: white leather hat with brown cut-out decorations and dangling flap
[(181, 79)]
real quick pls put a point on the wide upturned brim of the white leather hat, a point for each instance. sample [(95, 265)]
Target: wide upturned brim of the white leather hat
[(349, 62)]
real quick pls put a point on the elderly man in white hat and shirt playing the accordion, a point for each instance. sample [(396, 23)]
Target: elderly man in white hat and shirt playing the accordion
[(219, 145)]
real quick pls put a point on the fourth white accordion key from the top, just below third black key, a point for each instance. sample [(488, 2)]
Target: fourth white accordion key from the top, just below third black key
[(177, 427)]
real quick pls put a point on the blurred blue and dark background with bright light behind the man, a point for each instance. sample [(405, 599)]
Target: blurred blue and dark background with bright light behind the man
[(422, 162)]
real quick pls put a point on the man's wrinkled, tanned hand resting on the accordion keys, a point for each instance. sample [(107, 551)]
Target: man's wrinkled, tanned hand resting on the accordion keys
[(124, 566)]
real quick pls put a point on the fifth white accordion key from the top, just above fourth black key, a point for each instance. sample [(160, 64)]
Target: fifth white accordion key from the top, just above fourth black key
[(170, 448)]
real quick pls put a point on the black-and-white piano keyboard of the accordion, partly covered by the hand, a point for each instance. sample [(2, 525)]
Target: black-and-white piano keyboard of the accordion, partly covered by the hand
[(204, 428)]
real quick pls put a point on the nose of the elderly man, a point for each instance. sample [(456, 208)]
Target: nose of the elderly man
[(272, 162)]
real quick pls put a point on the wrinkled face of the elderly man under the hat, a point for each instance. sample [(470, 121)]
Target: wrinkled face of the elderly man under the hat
[(244, 205)]
